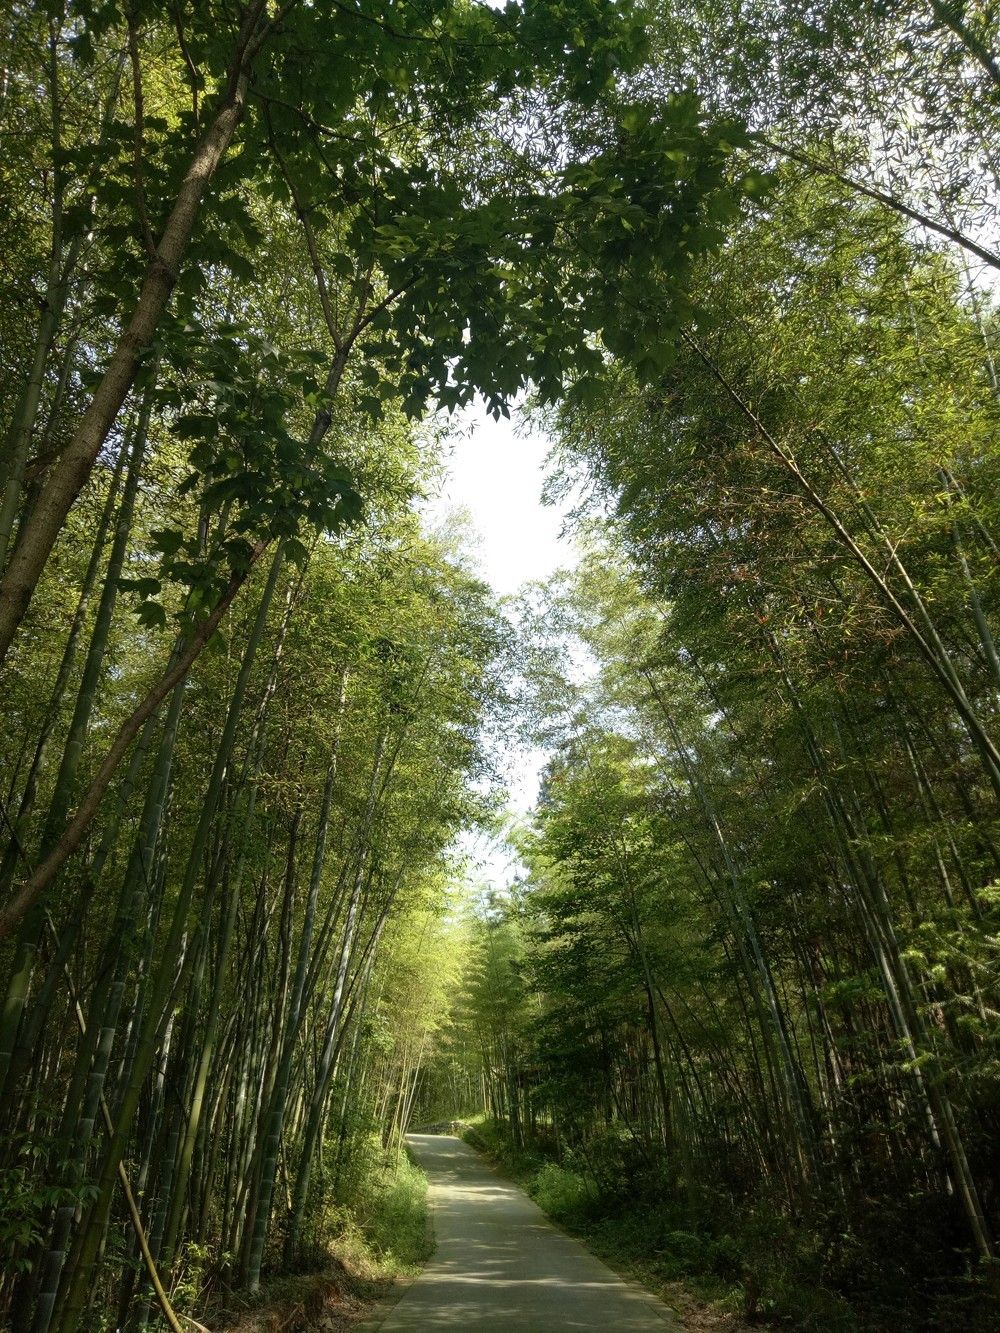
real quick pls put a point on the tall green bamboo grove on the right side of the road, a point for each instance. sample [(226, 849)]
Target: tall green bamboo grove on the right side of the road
[(757, 922)]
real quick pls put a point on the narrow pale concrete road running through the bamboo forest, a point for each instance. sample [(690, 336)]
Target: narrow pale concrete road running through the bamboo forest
[(501, 1264)]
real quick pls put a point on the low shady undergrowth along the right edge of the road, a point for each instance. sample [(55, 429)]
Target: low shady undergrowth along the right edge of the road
[(758, 1266)]
